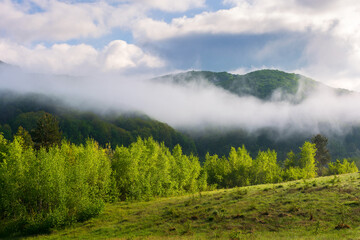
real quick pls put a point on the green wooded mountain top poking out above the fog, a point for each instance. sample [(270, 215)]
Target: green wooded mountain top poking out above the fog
[(261, 84)]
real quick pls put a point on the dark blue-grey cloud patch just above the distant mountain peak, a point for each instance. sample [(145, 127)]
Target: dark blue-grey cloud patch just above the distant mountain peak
[(228, 52)]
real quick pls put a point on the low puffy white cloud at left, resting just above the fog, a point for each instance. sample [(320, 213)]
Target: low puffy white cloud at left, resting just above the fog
[(79, 59)]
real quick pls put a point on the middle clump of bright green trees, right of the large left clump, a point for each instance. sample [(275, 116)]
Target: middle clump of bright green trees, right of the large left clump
[(147, 169)]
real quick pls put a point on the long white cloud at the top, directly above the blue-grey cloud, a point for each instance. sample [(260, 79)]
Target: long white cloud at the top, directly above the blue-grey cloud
[(256, 18)]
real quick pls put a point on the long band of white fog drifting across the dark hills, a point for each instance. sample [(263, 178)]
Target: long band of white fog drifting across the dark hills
[(195, 105)]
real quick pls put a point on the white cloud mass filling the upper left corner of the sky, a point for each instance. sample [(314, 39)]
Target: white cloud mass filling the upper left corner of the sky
[(55, 20)]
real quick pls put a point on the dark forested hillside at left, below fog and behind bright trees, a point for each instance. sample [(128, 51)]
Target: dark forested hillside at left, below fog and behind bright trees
[(77, 126)]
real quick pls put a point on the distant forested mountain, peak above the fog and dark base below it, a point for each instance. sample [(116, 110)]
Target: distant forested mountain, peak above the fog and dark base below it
[(266, 85)]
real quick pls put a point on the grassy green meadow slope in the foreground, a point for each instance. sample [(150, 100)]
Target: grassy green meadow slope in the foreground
[(321, 208)]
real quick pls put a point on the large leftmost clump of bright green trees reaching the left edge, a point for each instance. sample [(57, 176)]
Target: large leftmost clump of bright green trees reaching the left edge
[(54, 186)]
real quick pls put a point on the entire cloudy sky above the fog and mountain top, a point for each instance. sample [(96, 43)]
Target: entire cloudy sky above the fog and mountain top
[(319, 39)]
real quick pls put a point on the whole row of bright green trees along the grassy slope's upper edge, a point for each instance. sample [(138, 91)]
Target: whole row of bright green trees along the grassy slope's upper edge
[(49, 182)]
